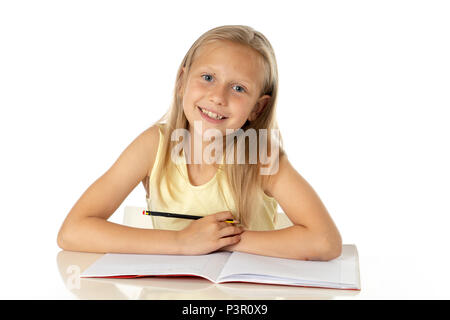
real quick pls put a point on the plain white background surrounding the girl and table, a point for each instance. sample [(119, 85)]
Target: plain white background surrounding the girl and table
[(364, 98)]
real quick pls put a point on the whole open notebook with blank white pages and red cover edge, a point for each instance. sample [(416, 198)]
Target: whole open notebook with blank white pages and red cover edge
[(220, 267)]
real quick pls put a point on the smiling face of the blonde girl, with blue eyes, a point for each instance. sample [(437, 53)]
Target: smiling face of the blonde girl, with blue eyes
[(223, 86)]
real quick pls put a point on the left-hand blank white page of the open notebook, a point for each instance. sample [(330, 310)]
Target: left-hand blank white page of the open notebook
[(208, 266)]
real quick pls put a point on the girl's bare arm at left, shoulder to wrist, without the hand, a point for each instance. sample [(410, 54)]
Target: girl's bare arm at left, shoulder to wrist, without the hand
[(86, 227)]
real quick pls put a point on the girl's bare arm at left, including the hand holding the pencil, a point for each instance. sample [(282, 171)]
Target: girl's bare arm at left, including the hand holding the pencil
[(86, 227)]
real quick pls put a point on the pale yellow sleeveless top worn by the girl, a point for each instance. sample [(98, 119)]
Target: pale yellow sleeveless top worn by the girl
[(200, 200)]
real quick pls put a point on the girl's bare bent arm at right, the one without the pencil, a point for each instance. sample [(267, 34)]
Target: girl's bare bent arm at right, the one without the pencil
[(313, 236)]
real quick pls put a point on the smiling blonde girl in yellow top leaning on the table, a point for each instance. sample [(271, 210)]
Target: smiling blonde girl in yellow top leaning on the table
[(226, 83)]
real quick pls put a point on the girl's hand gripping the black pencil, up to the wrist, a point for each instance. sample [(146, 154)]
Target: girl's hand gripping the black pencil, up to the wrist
[(209, 234)]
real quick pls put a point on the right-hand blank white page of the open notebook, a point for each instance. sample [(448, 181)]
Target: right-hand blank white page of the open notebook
[(248, 267)]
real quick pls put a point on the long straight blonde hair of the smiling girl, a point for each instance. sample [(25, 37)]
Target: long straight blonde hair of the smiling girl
[(245, 180)]
